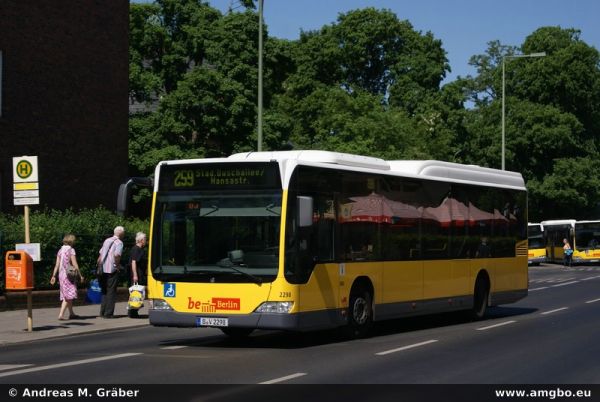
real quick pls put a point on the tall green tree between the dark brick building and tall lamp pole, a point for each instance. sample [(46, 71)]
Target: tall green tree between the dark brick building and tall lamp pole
[(199, 68)]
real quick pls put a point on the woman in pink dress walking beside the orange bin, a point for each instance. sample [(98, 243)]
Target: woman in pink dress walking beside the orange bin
[(68, 290)]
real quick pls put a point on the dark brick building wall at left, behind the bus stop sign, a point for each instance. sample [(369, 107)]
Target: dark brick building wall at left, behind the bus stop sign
[(64, 98)]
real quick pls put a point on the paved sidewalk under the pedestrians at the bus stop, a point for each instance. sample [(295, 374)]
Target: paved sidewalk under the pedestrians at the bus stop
[(13, 324)]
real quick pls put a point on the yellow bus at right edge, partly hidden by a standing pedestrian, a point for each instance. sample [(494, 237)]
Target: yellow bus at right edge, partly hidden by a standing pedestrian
[(584, 237)]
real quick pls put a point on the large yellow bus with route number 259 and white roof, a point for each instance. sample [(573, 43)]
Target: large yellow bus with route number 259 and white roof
[(306, 240)]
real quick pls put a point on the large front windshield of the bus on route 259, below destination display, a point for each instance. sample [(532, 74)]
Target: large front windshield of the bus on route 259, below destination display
[(224, 237)]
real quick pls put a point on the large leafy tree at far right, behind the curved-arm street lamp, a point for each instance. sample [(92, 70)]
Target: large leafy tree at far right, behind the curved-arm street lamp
[(551, 119)]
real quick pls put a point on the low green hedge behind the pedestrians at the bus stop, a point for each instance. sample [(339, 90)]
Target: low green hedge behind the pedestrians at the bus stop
[(48, 228)]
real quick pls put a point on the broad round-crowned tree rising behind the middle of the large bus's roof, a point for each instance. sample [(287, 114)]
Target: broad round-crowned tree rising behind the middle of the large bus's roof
[(348, 91)]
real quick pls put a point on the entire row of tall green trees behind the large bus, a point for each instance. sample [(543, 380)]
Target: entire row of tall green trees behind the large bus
[(370, 84)]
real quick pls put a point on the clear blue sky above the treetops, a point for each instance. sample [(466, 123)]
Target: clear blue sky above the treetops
[(464, 26)]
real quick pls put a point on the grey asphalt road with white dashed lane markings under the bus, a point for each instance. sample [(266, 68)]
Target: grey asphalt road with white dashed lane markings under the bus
[(550, 337)]
